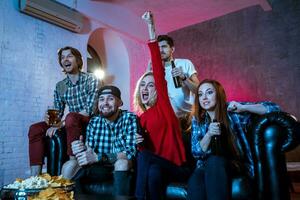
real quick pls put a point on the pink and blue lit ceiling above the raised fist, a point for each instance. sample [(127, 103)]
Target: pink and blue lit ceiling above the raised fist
[(124, 15)]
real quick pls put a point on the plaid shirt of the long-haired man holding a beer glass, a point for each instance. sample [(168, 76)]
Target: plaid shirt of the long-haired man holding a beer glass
[(78, 97)]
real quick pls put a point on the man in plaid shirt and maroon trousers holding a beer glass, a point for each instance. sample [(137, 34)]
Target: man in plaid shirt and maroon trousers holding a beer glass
[(78, 92)]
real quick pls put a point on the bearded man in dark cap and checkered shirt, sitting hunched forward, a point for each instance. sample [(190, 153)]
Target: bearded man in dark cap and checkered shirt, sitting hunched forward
[(110, 145)]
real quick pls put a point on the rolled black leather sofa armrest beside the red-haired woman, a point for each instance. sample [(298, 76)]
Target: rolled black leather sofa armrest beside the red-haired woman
[(273, 134)]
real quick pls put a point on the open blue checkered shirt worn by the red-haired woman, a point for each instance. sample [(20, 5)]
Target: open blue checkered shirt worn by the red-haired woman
[(238, 125)]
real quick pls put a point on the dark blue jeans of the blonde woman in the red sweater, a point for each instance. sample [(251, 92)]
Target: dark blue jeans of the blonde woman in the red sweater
[(154, 173)]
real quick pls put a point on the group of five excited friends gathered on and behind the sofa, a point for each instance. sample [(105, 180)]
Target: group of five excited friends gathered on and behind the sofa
[(105, 142)]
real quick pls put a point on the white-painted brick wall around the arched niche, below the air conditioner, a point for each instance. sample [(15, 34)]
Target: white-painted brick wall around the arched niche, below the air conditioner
[(29, 71)]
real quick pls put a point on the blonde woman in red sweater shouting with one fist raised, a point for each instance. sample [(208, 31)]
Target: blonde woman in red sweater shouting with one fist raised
[(162, 157)]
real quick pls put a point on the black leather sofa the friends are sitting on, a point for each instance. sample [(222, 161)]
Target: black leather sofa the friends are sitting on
[(270, 136)]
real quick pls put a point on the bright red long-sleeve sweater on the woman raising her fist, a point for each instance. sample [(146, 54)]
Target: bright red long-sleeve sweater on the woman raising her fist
[(160, 122)]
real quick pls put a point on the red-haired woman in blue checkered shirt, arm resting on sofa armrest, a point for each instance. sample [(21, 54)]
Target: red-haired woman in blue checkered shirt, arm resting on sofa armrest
[(212, 118)]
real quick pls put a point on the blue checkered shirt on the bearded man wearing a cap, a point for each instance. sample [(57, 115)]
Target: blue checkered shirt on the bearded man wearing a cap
[(106, 137)]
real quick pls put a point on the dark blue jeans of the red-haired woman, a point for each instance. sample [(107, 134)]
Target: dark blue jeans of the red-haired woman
[(210, 182)]
